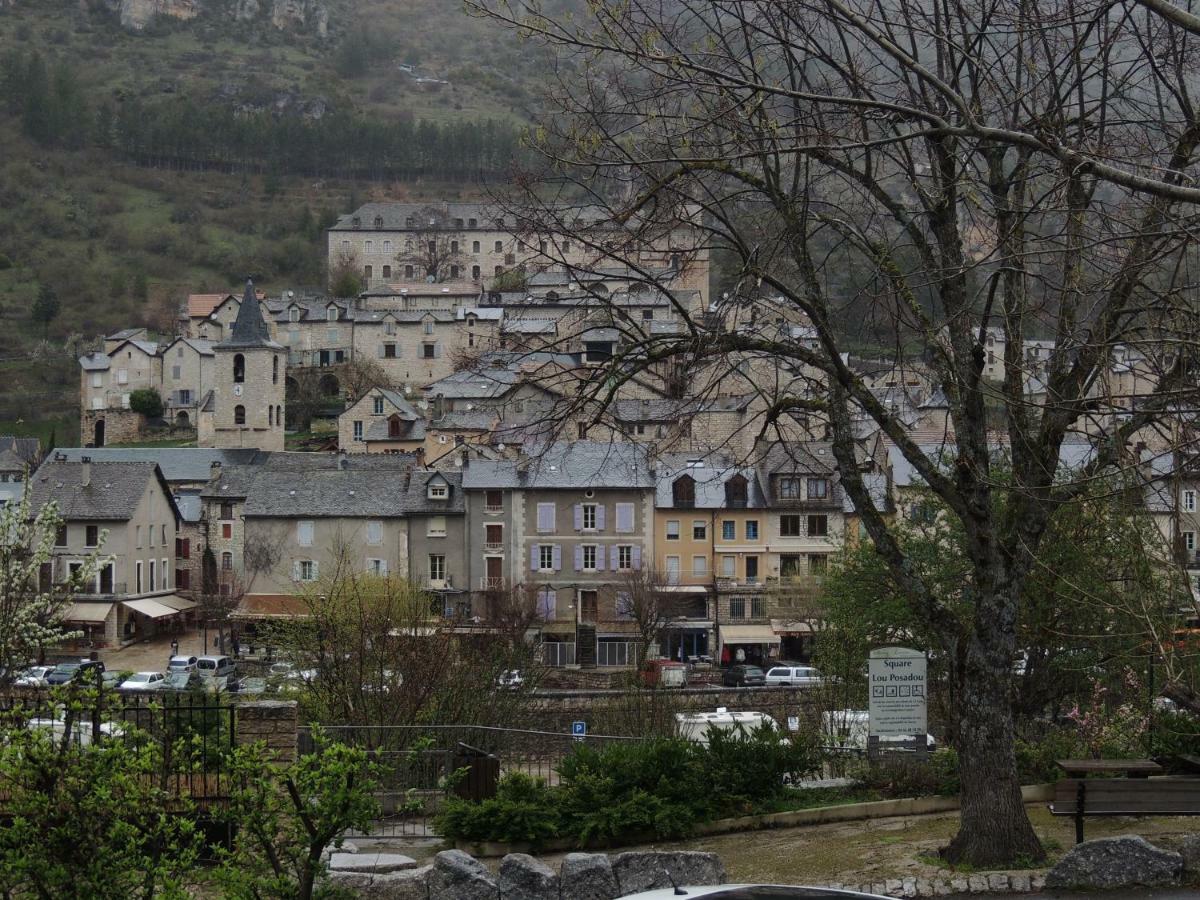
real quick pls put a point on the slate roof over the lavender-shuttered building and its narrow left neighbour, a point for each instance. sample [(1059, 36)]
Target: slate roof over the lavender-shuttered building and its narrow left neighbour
[(578, 465)]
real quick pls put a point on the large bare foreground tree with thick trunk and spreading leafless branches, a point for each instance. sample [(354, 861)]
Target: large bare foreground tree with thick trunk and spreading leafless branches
[(953, 179)]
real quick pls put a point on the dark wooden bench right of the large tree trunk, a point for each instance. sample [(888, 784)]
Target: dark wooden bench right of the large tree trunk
[(1082, 797)]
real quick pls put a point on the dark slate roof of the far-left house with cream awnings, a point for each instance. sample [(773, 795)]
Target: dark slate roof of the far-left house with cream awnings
[(112, 496)]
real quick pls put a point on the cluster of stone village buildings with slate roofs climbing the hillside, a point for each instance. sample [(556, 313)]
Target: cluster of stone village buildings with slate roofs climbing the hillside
[(463, 461)]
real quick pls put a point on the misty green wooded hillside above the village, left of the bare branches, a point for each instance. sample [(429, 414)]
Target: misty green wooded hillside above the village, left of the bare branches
[(137, 166)]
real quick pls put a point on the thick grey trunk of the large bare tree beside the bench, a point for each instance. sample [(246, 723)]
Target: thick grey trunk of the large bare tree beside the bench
[(994, 827)]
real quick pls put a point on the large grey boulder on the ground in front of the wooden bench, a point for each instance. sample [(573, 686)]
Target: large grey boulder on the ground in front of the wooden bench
[(1115, 863)]
